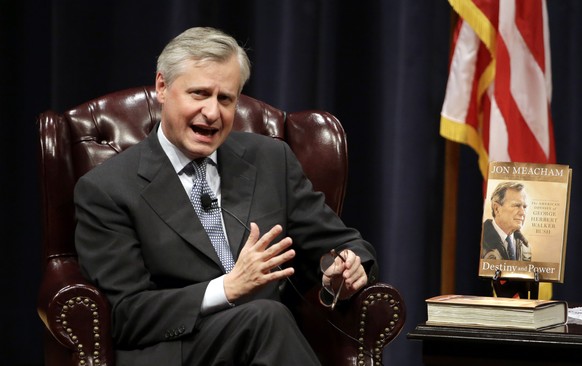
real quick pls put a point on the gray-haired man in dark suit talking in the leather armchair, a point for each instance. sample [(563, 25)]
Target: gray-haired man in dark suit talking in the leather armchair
[(177, 299)]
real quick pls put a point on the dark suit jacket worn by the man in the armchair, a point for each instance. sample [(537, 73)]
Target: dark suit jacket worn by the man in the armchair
[(139, 240)]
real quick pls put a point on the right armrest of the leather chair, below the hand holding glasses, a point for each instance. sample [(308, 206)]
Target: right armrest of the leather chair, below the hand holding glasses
[(357, 329)]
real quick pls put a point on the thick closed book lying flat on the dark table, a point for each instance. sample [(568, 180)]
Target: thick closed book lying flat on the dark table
[(495, 312)]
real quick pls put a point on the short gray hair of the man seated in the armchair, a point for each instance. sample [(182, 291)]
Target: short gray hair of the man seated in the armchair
[(201, 43)]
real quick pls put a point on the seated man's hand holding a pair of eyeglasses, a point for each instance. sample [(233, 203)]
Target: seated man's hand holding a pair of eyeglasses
[(351, 271)]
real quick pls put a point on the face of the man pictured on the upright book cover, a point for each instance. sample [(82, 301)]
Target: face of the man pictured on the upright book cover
[(511, 215)]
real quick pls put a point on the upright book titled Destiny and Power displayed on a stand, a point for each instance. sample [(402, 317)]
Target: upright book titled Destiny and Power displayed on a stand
[(529, 203)]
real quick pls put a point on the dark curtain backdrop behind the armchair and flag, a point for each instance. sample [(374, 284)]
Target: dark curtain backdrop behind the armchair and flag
[(380, 66)]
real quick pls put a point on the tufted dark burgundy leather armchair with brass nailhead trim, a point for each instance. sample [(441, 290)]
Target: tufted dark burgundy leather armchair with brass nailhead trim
[(77, 315)]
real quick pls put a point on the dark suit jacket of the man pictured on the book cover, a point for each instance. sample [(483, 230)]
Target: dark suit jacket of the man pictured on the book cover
[(493, 247)]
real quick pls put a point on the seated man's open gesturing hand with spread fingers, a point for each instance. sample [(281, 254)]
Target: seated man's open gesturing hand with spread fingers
[(255, 264)]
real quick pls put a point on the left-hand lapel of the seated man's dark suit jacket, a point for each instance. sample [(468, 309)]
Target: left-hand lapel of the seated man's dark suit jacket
[(166, 196)]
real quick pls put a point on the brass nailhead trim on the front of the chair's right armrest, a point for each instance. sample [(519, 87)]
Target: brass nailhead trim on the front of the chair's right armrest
[(380, 343)]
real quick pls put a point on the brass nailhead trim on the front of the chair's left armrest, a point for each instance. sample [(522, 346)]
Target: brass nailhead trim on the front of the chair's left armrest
[(92, 307)]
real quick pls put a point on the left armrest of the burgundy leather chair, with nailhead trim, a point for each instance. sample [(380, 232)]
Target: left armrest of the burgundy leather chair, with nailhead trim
[(76, 313)]
